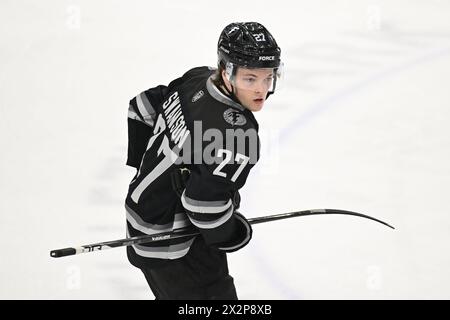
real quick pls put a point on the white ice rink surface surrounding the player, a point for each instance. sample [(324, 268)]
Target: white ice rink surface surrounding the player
[(361, 124)]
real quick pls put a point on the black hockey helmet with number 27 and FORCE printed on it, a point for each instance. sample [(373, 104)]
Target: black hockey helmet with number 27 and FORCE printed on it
[(248, 44)]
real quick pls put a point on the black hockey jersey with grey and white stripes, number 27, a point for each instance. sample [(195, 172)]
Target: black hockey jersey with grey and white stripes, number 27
[(188, 125)]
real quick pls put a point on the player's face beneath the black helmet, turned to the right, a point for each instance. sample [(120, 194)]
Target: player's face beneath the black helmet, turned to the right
[(252, 85)]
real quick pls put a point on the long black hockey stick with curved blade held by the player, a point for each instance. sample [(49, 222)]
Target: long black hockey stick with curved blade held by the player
[(192, 231)]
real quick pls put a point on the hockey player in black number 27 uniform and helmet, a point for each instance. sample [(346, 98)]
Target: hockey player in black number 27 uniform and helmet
[(193, 144)]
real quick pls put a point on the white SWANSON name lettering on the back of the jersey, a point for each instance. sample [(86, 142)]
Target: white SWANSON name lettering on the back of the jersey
[(175, 119)]
